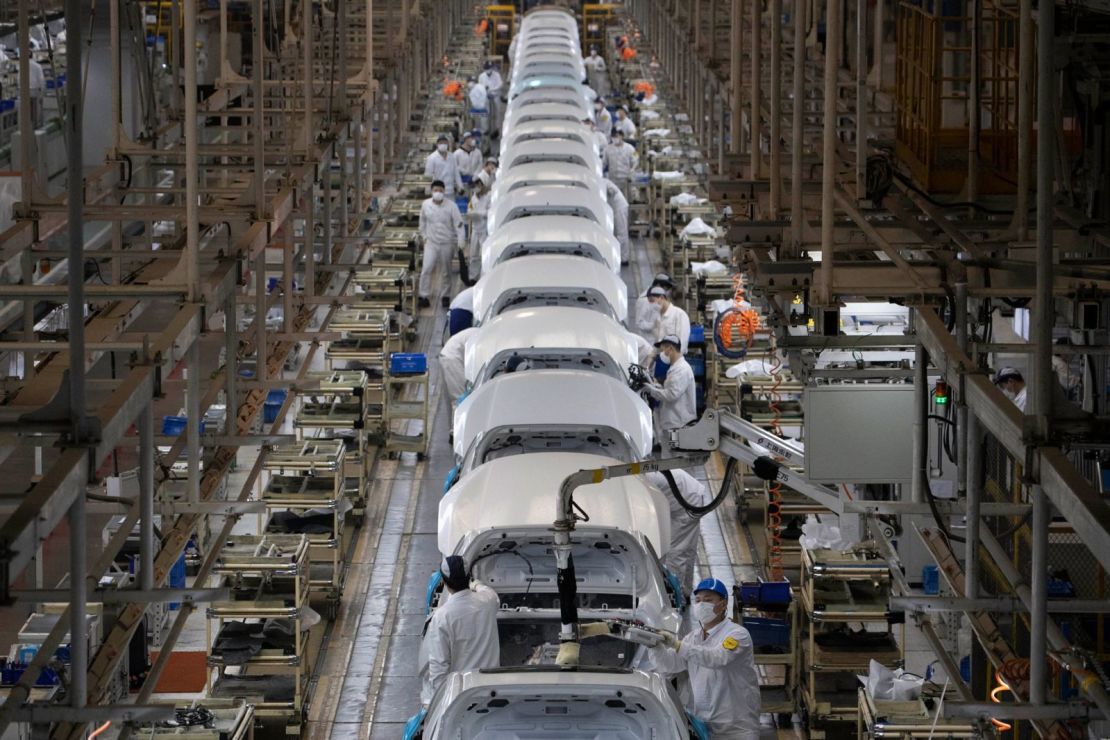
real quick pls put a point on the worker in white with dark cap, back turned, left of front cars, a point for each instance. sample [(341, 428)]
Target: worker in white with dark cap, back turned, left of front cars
[(462, 635)]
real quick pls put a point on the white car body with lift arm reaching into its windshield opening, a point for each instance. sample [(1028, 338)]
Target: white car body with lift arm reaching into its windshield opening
[(507, 508)]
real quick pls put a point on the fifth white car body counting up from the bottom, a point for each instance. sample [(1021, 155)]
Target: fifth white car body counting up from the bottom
[(551, 280)]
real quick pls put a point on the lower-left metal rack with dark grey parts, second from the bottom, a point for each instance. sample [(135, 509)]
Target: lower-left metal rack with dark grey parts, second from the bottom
[(270, 579)]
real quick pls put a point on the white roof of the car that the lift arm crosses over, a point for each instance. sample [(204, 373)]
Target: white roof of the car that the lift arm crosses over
[(522, 491)]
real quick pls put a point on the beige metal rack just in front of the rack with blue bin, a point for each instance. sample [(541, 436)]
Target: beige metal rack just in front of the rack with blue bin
[(335, 406)]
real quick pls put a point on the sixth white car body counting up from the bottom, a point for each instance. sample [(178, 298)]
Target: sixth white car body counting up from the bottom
[(548, 236)]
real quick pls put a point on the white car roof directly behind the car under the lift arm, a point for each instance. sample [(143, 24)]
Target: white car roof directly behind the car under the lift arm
[(541, 398)]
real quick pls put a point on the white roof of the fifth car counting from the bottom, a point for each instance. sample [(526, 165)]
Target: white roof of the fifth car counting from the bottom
[(550, 271)]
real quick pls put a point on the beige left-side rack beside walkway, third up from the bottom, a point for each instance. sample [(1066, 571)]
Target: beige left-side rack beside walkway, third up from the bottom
[(310, 477)]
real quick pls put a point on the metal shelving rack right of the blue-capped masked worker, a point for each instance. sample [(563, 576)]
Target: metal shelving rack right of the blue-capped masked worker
[(841, 589)]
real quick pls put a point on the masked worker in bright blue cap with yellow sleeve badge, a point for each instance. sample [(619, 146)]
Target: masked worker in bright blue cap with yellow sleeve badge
[(720, 658)]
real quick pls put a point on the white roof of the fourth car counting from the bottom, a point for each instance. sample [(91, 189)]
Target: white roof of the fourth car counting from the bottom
[(550, 328)]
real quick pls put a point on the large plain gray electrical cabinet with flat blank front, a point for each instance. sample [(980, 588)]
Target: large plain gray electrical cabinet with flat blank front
[(860, 433)]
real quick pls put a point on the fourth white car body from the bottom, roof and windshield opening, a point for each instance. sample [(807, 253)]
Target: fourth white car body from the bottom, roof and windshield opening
[(550, 337)]
